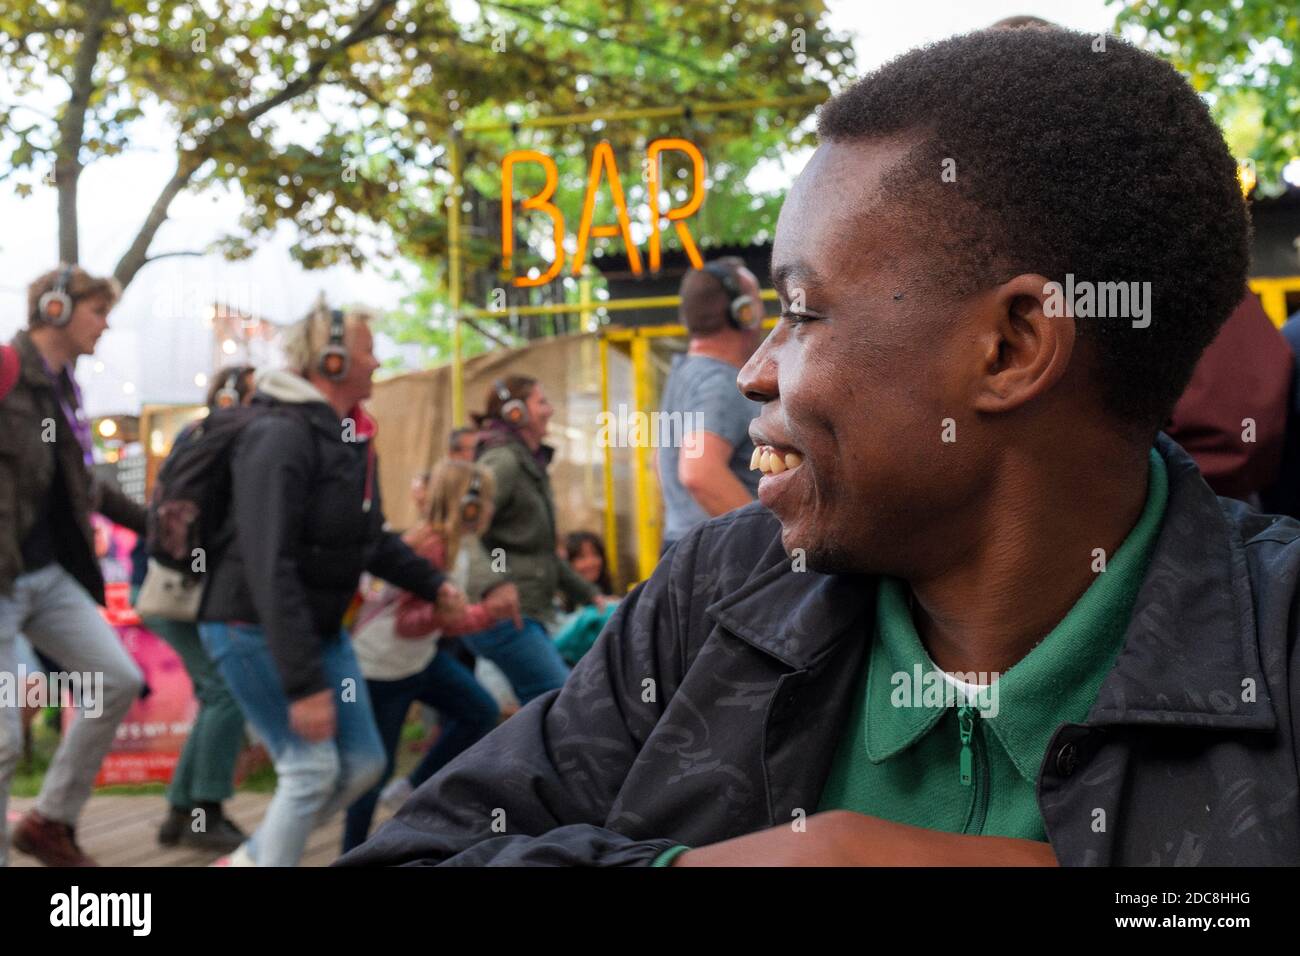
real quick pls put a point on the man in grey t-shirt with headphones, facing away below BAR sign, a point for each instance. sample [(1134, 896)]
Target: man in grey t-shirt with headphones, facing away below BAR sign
[(709, 471)]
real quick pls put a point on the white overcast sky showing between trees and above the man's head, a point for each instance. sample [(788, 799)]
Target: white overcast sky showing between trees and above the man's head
[(149, 357)]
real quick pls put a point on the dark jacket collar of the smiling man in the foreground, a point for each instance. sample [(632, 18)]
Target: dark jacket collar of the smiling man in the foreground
[(1189, 652)]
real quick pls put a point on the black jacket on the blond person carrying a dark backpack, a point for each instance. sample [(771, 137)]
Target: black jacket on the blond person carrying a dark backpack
[(305, 522)]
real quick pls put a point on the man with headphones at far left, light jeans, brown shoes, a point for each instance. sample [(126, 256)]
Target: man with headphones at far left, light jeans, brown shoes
[(50, 581)]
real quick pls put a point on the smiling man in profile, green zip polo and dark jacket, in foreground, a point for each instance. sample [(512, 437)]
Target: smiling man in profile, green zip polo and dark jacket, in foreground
[(978, 498)]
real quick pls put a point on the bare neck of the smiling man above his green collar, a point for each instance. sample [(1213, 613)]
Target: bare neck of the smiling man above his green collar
[(1030, 559)]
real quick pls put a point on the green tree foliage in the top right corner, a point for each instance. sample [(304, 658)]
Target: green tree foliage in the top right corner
[(1242, 58)]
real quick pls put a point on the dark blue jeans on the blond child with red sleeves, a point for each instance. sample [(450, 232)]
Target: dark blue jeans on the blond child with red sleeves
[(467, 711)]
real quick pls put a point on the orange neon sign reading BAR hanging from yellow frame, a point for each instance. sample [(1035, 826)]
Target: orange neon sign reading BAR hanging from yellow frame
[(603, 167)]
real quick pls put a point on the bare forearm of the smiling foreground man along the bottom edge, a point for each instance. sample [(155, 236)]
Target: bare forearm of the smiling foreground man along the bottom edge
[(843, 838)]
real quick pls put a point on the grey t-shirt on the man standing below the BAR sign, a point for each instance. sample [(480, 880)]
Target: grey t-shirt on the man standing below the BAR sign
[(704, 393)]
